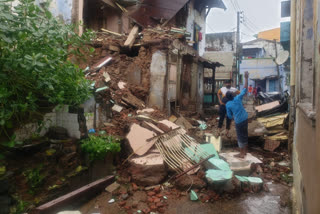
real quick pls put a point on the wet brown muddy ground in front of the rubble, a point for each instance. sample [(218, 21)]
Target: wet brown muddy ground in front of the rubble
[(276, 201)]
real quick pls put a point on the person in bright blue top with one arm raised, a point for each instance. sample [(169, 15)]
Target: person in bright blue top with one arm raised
[(236, 110)]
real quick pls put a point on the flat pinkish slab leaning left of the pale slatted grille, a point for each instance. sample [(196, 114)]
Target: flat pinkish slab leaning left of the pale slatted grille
[(138, 139)]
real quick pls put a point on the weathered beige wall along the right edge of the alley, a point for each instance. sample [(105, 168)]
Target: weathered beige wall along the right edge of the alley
[(306, 147)]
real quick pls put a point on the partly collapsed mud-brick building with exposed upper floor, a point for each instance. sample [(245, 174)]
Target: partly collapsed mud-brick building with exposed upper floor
[(164, 62)]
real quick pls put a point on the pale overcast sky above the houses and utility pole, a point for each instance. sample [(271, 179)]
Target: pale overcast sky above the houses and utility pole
[(259, 15)]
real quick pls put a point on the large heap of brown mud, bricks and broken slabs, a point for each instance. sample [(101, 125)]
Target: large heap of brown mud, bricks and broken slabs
[(164, 155)]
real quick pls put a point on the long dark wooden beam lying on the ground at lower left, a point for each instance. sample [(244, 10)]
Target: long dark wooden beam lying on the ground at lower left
[(73, 197)]
